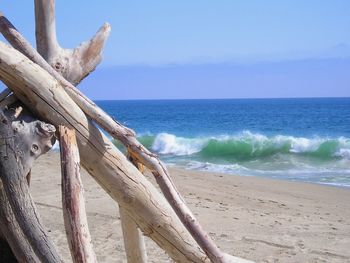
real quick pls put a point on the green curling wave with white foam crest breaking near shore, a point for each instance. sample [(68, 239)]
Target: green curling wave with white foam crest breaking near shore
[(247, 146)]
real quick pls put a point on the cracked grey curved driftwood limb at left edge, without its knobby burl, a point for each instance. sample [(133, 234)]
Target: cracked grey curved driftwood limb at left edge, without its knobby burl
[(17, 192)]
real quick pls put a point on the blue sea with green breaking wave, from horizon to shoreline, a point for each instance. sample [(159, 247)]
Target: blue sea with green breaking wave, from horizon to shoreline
[(296, 139)]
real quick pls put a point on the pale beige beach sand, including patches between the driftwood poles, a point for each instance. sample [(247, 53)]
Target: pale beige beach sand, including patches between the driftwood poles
[(259, 219)]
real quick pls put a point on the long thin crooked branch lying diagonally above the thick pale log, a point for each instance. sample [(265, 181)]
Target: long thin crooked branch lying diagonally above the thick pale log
[(150, 160)]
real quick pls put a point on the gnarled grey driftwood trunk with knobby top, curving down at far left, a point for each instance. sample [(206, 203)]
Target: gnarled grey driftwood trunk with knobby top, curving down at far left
[(26, 231)]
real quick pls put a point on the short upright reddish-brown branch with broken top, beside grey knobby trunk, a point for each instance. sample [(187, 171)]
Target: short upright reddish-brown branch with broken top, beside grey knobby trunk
[(75, 220)]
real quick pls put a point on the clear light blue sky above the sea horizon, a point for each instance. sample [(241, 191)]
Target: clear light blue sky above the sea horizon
[(174, 41)]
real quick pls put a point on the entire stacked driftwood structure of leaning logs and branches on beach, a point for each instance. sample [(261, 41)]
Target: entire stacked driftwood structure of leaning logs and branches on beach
[(42, 103)]
